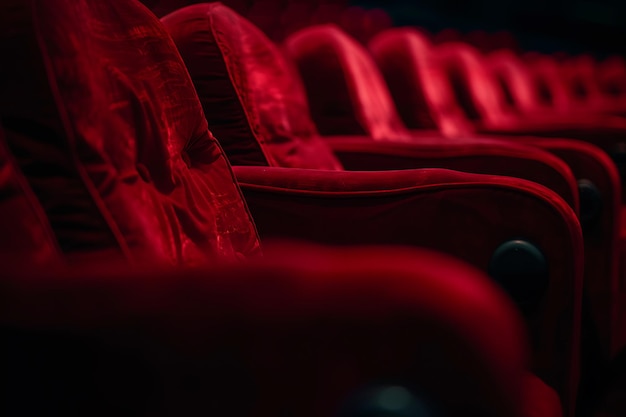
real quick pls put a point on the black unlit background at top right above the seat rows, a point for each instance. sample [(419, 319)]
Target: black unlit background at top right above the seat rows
[(570, 26)]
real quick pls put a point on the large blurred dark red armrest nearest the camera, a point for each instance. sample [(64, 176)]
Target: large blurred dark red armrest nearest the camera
[(297, 332)]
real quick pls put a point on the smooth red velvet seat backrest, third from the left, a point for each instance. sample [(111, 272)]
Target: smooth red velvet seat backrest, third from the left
[(346, 92)]
